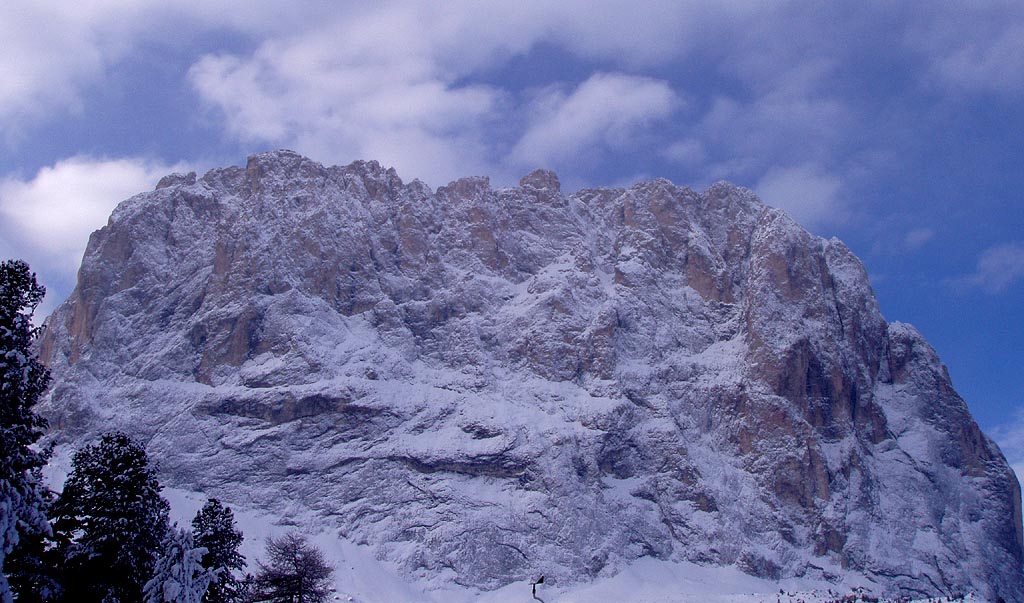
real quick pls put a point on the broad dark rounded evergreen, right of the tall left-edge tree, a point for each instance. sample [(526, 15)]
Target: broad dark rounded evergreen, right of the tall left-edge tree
[(111, 522)]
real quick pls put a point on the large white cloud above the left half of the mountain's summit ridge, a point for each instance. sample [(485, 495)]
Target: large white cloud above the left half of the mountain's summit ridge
[(348, 92)]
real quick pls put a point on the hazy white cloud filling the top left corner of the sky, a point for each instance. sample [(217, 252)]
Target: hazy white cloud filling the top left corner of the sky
[(54, 52)]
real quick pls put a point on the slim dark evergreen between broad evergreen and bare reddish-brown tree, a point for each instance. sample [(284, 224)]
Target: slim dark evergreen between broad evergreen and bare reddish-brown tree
[(215, 530)]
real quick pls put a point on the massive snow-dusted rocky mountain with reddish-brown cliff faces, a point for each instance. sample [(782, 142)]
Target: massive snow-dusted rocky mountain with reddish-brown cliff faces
[(492, 383)]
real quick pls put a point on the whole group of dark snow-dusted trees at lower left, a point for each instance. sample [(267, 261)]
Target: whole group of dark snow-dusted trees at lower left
[(107, 537)]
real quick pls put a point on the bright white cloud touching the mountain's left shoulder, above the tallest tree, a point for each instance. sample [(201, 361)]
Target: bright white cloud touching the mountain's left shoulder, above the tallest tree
[(49, 219)]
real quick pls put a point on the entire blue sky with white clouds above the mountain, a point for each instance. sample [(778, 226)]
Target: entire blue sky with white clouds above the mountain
[(898, 127)]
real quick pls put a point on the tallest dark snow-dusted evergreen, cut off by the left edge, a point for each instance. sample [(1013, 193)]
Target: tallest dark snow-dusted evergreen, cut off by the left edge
[(23, 380)]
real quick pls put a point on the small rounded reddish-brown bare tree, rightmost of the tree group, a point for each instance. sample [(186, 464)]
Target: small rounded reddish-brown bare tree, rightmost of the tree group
[(295, 572)]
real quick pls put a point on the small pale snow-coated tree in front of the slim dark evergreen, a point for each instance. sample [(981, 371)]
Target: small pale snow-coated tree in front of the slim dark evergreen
[(180, 576)]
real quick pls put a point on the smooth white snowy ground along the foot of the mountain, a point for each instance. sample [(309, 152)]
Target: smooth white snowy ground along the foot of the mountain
[(361, 578)]
